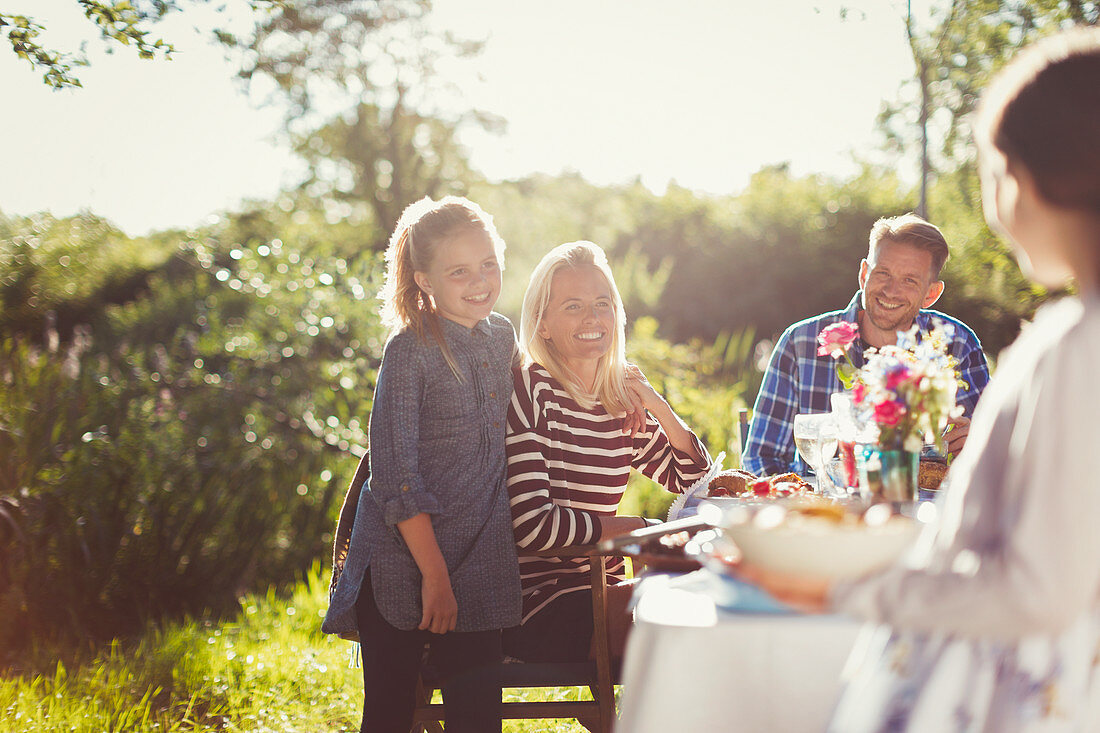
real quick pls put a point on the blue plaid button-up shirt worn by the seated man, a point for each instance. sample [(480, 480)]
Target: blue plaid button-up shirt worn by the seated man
[(800, 381)]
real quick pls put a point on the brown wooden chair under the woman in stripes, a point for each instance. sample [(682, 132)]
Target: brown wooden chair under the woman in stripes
[(598, 675)]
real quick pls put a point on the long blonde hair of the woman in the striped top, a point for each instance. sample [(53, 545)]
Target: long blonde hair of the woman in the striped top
[(611, 379)]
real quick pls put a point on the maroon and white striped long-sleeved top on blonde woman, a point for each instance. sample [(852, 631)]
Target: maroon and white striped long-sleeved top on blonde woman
[(567, 467)]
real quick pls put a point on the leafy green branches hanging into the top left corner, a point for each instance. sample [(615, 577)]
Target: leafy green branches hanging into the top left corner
[(126, 23)]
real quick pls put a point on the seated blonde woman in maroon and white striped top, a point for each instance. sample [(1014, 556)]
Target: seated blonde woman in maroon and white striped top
[(570, 448)]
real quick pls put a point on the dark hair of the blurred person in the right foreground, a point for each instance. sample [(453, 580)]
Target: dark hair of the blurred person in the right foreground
[(1043, 113)]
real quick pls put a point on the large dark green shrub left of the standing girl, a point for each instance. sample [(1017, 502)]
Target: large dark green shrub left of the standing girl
[(185, 446)]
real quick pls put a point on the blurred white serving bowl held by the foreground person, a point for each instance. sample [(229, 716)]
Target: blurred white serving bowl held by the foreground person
[(819, 548)]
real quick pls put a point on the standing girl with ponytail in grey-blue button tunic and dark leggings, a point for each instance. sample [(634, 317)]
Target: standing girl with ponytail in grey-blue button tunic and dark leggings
[(432, 559)]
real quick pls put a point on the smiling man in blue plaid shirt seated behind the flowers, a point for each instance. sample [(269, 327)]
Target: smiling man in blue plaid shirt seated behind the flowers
[(898, 281)]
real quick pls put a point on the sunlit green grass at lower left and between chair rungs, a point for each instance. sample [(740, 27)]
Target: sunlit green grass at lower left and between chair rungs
[(270, 669)]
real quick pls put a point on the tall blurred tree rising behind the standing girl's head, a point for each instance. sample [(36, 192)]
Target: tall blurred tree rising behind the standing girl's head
[(365, 104)]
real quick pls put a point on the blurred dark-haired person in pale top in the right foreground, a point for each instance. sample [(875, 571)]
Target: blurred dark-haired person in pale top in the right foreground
[(995, 622)]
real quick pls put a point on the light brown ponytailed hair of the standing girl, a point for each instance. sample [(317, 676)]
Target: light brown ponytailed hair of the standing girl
[(426, 226)]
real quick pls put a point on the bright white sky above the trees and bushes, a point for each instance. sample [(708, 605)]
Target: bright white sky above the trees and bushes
[(699, 92)]
